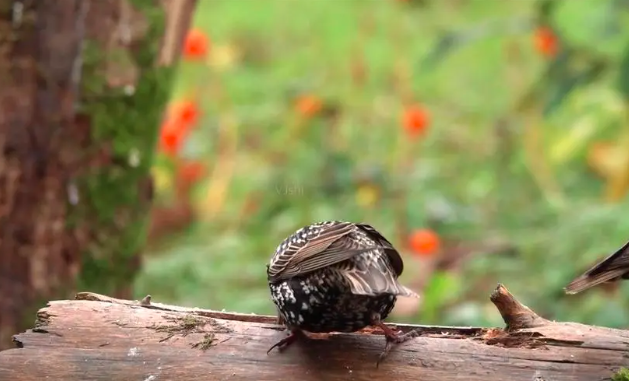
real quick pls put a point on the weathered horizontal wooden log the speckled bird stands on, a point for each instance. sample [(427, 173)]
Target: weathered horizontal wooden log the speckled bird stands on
[(96, 337)]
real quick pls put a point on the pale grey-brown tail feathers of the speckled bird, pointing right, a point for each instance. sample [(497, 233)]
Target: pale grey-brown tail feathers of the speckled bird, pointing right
[(373, 275)]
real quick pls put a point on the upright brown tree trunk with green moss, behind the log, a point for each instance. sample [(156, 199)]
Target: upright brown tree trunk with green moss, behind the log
[(83, 87)]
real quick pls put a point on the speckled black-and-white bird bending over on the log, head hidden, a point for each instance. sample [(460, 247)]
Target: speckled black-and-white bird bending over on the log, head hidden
[(336, 276)]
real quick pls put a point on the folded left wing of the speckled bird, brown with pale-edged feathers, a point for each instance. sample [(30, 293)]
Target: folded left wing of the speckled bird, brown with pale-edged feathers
[(329, 244)]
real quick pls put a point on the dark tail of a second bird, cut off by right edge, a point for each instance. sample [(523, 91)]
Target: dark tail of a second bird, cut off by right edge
[(611, 269)]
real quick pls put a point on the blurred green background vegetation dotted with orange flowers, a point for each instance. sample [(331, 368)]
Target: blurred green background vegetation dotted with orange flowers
[(488, 140)]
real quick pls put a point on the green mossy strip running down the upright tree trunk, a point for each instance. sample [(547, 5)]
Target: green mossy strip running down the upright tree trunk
[(123, 94)]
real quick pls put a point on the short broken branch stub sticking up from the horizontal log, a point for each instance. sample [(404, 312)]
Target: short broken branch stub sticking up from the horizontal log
[(515, 314)]
